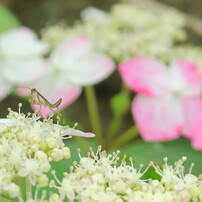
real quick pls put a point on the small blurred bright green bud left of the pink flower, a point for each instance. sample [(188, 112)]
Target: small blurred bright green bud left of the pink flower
[(120, 103)]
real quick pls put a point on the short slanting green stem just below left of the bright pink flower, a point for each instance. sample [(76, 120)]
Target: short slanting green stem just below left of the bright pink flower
[(126, 137)]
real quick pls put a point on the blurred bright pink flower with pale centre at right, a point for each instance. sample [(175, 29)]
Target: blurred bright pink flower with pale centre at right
[(168, 102)]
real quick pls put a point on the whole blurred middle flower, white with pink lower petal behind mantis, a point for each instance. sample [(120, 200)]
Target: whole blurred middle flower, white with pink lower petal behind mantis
[(73, 64)]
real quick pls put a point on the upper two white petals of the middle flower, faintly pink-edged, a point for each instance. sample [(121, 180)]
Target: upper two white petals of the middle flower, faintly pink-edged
[(79, 64)]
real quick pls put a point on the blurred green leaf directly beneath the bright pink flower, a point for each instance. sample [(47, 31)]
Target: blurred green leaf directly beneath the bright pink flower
[(144, 152)]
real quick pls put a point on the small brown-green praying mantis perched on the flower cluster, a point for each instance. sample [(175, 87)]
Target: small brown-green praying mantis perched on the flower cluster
[(42, 101)]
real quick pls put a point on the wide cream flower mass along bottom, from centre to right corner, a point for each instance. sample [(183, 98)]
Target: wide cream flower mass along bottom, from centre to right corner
[(100, 177)]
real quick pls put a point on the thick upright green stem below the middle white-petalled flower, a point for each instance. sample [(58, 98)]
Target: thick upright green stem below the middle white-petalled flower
[(93, 112)]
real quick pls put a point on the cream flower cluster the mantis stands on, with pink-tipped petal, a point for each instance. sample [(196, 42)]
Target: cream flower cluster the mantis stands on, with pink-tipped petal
[(27, 146)]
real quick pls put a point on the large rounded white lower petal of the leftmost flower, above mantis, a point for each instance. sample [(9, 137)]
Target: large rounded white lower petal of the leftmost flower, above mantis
[(24, 72)]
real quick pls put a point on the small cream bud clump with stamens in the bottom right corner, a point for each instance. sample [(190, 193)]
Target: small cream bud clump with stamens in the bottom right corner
[(174, 178)]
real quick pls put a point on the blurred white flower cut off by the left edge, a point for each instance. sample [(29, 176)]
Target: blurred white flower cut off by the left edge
[(20, 58)]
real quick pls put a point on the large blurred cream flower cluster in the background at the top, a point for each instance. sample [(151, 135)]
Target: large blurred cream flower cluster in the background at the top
[(127, 30)]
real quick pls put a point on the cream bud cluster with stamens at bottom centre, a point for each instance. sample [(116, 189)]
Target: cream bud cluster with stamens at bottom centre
[(99, 177)]
